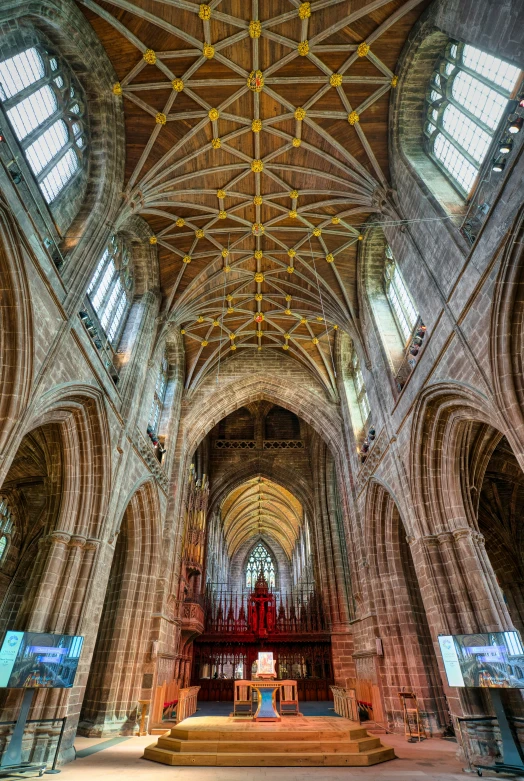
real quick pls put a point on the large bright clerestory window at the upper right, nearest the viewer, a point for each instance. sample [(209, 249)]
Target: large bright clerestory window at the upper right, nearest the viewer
[(468, 94)]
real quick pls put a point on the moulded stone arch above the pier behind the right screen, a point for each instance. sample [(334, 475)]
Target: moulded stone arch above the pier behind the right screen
[(438, 467)]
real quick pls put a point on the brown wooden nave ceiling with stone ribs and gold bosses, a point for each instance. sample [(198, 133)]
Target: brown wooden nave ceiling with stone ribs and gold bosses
[(256, 149)]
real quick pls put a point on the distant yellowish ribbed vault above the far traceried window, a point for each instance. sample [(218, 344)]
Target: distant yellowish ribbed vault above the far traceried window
[(260, 508)]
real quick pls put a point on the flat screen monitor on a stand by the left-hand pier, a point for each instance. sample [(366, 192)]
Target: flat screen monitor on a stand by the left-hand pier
[(35, 660)]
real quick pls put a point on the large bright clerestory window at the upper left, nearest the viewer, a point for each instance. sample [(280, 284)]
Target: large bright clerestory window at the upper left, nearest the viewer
[(44, 106)]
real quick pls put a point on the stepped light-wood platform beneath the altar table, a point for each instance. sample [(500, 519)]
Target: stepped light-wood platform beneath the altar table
[(295, 741)]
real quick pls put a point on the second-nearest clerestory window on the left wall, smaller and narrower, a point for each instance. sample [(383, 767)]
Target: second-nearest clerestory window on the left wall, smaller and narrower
[(110, 289)]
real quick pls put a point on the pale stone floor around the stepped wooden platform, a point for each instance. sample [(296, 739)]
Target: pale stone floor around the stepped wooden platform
[(104, 759)]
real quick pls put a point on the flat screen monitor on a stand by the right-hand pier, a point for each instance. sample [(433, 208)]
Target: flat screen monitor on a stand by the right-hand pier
[(493, 660)]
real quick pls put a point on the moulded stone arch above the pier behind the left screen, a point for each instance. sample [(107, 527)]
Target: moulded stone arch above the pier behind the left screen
[(80, 412)]
